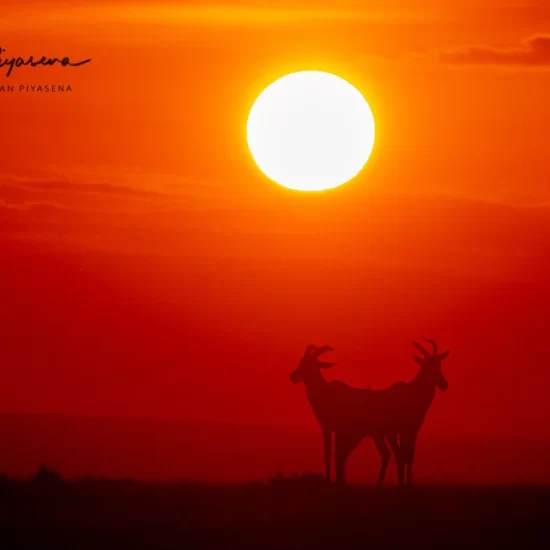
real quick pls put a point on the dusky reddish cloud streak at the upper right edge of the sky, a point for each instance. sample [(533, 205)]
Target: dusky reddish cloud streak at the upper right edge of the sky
[(534, 52)]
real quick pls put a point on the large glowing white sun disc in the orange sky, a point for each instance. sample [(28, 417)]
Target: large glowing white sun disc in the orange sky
[(310, 131)]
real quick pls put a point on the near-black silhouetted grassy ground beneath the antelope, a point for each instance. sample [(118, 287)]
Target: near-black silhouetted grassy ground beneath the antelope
[(283, 513)]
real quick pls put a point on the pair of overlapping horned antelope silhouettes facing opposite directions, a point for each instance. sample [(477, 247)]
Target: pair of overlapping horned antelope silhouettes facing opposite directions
[(395, 414)]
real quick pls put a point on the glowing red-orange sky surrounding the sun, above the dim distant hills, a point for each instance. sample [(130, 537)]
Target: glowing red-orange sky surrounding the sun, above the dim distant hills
[(148, 269)]
